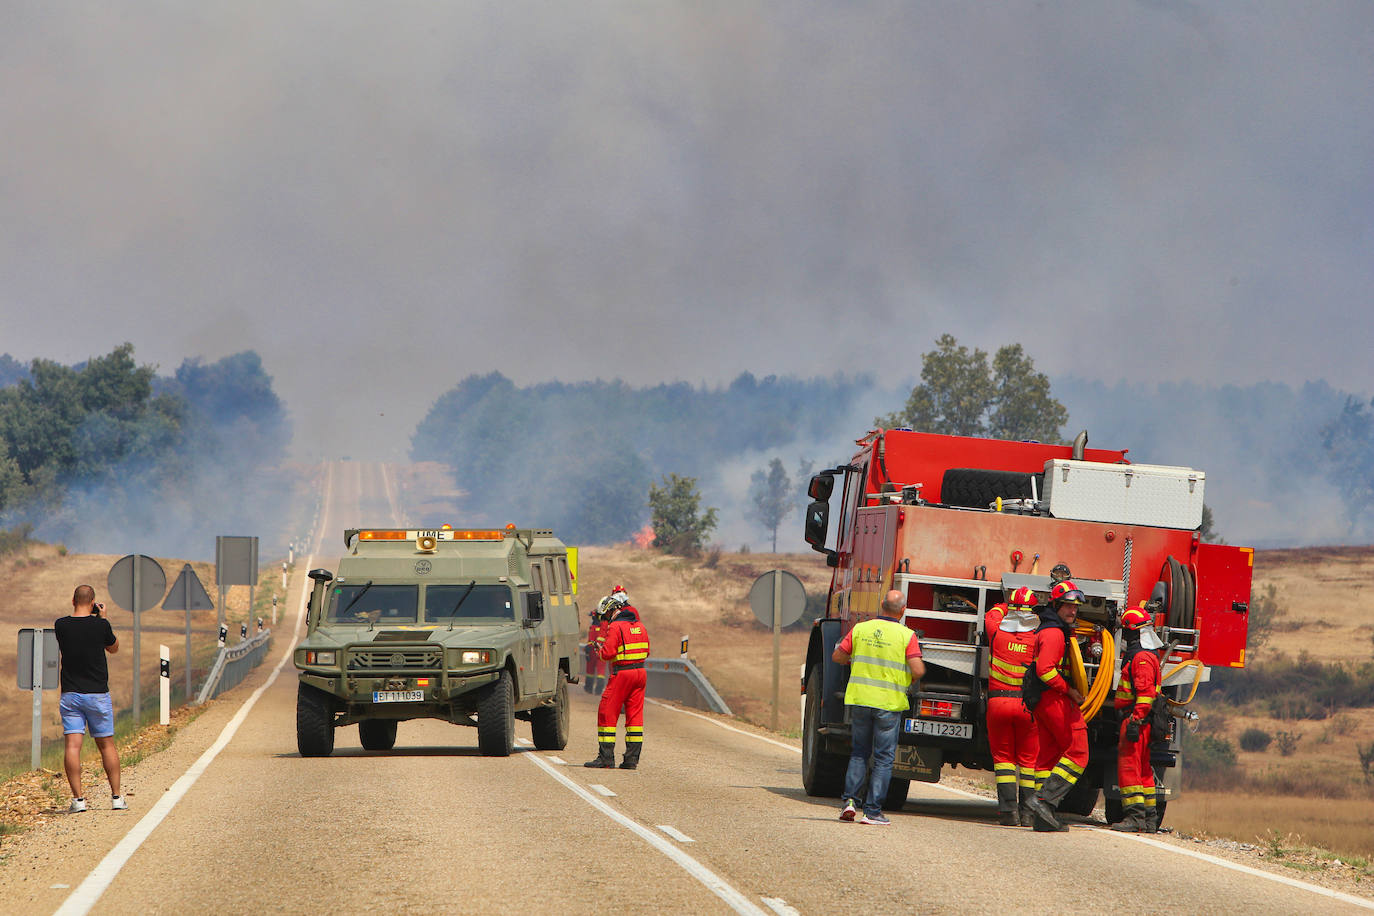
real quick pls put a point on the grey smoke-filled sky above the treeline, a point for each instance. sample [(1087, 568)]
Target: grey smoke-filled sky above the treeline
[(383, 200)]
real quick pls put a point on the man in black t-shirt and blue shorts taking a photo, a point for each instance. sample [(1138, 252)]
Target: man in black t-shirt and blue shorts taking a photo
[(85, 639)]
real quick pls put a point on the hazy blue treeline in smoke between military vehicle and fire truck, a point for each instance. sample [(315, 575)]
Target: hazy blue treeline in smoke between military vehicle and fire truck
[(581, 457)]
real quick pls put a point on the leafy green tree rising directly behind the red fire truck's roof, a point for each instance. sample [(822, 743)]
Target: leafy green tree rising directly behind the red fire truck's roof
[(962, 395)]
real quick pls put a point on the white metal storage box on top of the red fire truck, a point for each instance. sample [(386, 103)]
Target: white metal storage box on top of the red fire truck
[(1125, 494)]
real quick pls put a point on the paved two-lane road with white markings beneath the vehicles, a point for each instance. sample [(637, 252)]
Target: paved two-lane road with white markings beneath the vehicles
[(714, 822)]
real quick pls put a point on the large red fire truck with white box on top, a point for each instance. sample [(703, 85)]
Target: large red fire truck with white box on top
[(958, 524)]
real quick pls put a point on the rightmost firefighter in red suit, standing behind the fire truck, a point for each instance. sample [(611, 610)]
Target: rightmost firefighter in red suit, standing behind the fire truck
[(1134, 701)]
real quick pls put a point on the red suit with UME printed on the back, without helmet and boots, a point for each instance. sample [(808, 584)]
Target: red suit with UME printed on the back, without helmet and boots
[(1012, 731)]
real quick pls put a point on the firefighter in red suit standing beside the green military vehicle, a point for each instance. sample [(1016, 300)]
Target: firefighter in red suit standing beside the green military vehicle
[(626, 646)]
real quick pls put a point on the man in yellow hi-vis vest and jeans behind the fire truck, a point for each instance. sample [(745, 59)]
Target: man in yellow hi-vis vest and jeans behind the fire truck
[(884, 659)]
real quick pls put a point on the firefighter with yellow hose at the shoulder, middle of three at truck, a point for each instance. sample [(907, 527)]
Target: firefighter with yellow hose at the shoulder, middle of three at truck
[(1055, 702)]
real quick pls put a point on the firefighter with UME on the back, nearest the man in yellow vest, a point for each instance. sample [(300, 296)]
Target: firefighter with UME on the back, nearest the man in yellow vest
[(1012, 733)]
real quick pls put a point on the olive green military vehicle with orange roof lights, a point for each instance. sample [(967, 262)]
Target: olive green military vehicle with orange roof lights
[(471, 627)]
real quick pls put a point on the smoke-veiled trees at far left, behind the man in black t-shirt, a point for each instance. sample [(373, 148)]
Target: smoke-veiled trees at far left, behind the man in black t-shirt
[(108, 457)]
